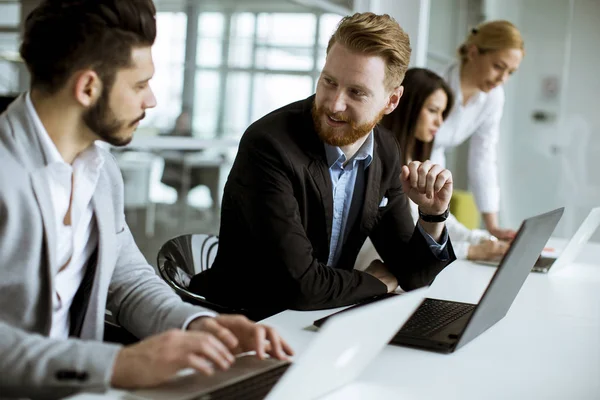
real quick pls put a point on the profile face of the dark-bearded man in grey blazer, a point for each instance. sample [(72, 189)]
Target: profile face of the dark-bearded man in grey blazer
[(118, 111)]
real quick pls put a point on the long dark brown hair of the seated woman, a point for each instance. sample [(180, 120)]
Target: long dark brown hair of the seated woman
[(419, 84)]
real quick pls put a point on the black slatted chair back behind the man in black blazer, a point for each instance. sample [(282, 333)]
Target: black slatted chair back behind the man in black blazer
[(185, 256)]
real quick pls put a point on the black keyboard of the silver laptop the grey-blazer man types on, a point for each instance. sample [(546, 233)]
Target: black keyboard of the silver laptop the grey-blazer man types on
[(253, 388)]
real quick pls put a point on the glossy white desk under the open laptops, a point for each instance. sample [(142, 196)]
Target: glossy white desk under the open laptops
[(547, 347)]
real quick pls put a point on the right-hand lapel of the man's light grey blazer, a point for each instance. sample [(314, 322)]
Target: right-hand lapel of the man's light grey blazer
[(93, 325)]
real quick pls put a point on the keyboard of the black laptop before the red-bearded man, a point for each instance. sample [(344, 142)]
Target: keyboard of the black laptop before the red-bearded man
[(434, 314)]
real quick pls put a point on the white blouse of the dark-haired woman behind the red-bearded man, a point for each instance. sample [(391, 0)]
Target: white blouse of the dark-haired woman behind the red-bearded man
[(461, 237)]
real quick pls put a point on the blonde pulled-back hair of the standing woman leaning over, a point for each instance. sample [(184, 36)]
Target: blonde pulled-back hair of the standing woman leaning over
[(492, 36)]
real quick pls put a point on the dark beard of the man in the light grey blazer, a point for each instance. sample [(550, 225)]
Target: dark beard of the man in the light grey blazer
[(103, 122)]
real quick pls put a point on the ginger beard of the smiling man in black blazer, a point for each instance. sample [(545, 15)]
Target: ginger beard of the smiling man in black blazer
[(334, 136)]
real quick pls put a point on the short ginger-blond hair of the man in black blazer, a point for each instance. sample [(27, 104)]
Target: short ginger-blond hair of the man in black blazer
[(378, 35)]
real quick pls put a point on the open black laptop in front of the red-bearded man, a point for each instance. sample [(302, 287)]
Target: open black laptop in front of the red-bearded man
[(445, 326)]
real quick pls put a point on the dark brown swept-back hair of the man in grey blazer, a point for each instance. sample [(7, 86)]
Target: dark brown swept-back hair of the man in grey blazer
[(64, 36)]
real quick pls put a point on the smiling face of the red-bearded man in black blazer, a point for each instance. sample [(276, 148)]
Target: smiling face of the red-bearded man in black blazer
[(351, 96)]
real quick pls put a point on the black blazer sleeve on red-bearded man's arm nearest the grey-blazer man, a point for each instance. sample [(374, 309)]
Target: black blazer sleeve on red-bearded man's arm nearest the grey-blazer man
[(265, 193)]
